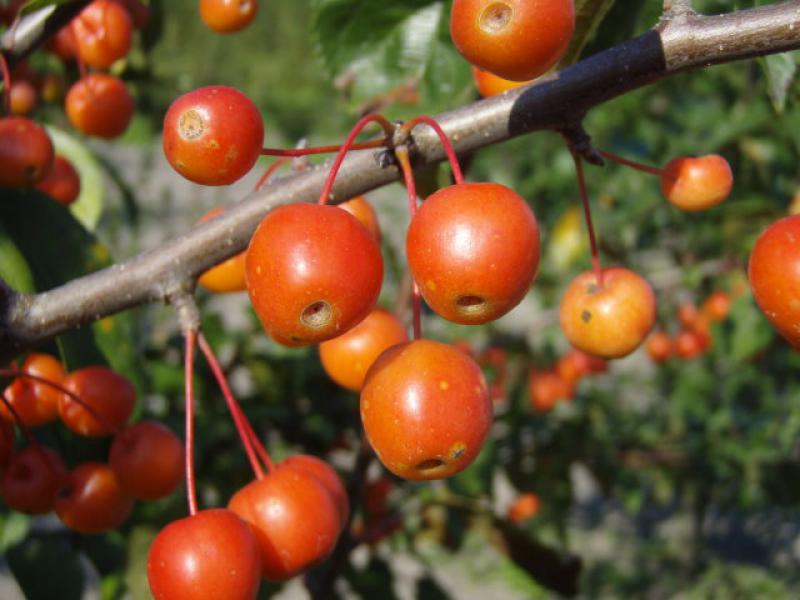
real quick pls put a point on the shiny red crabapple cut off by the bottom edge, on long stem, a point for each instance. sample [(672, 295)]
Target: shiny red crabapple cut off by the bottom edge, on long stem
[(208, 556)]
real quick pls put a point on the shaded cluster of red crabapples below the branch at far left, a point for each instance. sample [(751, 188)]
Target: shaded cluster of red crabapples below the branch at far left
[(145, 461)]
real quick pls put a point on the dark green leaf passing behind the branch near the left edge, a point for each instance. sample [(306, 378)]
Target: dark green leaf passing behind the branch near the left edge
[(58, 249)]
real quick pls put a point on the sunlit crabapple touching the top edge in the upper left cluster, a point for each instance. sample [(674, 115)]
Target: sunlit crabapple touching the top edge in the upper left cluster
[(103, 33)]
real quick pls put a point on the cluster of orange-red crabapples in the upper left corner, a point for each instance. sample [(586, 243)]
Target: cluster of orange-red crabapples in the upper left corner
[(97, 104)]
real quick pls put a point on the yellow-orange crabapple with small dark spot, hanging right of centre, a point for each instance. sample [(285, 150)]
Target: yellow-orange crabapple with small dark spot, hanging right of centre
[(612, 321)]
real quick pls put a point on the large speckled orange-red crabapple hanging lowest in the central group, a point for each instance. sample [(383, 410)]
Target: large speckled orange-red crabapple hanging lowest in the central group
[(426, 410)]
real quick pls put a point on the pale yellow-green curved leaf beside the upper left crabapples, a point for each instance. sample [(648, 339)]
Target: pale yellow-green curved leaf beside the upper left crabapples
[(88, 207)]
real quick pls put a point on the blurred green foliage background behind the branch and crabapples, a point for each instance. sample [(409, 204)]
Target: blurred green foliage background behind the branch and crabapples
[(694, 466)]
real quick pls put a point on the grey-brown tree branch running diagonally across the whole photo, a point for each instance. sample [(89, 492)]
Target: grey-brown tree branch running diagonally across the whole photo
[(558, 102)]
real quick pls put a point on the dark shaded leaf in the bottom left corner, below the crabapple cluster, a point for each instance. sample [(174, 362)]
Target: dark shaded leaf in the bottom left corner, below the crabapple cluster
[(46, 569)]
